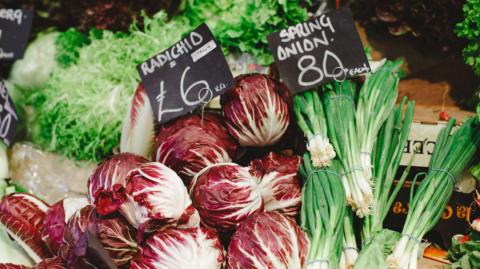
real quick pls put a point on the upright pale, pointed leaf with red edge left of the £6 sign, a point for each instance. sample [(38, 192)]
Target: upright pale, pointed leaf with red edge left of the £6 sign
[(138, 127)]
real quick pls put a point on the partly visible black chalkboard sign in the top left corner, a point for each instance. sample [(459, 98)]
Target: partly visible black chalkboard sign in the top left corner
[(15, 26)]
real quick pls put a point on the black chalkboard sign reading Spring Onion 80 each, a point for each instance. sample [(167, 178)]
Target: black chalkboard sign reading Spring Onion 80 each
[(319, 50)]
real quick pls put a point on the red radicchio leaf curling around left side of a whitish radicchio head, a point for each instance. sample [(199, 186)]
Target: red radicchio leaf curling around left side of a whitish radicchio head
[(108, 176)]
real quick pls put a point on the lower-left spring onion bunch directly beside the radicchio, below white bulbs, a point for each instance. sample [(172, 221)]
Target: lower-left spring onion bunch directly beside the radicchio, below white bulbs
[(322, 213)]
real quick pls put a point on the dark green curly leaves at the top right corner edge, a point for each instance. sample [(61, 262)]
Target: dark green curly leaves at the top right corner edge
[(469, 29)]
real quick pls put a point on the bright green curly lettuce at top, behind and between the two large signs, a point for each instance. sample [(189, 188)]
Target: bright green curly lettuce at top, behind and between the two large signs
[(243, 25)]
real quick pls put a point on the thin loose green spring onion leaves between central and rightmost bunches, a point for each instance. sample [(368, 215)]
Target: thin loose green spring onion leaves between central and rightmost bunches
[(387, 154)]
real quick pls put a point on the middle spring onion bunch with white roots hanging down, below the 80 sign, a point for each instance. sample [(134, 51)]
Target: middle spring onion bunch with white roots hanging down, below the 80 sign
[(339, 108)]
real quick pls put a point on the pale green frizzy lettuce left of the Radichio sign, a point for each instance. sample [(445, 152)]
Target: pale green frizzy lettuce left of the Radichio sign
[(80, 112)]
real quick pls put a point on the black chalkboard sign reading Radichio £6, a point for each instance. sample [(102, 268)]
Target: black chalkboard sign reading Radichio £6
[(186, 75)]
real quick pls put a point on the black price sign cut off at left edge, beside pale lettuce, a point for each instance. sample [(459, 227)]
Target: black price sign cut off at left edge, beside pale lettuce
[(8, 116)]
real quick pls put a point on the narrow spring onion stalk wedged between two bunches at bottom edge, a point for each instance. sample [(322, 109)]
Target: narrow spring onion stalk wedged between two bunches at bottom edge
[(349, 249)]
